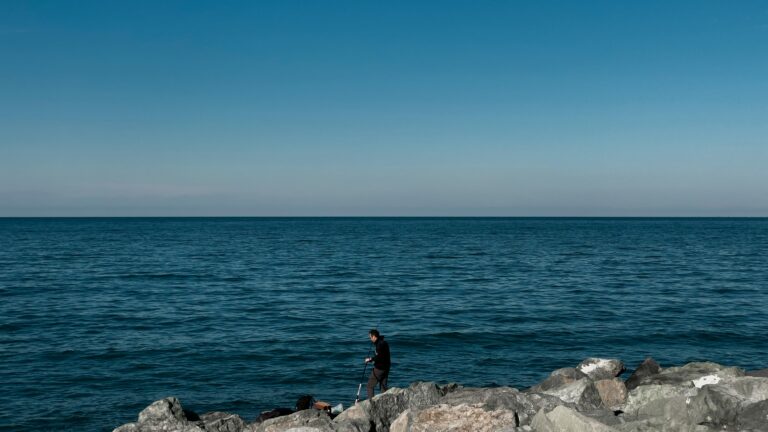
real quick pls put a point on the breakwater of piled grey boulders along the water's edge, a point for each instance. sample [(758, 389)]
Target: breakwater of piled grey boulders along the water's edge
[(590, 397)]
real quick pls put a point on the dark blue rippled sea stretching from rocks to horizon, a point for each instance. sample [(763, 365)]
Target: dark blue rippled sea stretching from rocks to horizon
[(100, 317)]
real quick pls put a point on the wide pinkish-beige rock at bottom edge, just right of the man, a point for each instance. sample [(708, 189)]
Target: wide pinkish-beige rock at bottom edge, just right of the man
[(455, 418)]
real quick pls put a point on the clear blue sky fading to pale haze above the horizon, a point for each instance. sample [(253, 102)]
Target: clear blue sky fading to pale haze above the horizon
[(383, 108)]
